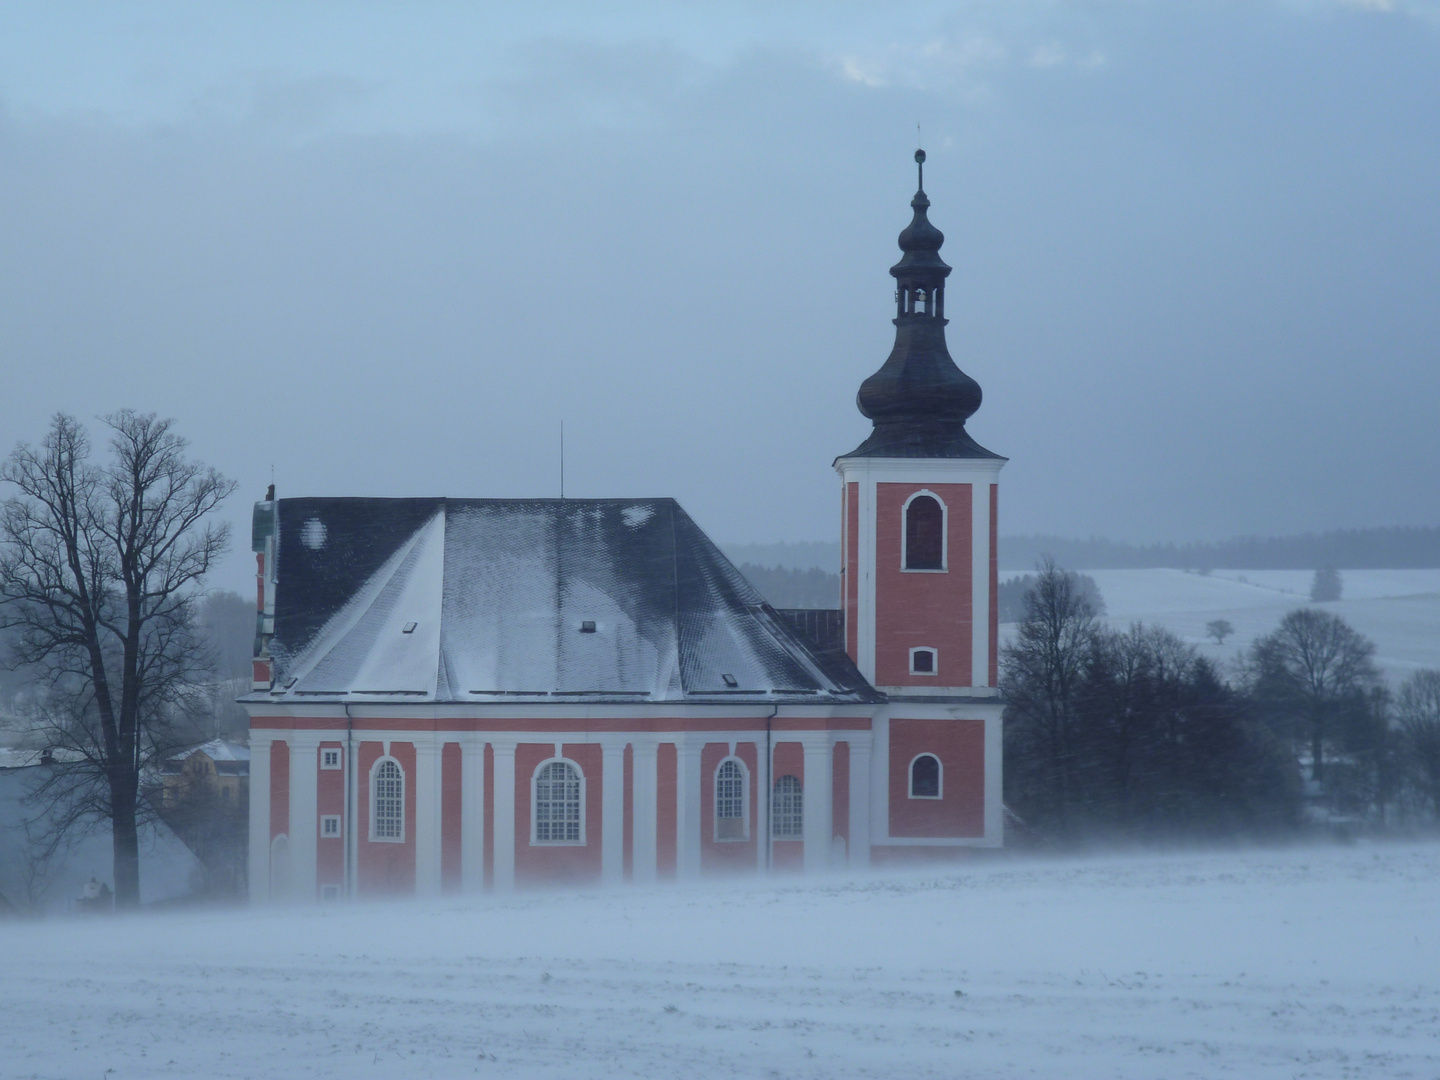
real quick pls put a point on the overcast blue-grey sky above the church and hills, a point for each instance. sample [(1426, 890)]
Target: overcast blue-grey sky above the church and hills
[(387, 248)]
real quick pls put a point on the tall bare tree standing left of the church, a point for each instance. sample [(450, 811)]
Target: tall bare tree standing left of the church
[(99, 578)]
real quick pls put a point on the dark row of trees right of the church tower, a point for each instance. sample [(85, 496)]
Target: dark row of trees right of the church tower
[(1135, 735)]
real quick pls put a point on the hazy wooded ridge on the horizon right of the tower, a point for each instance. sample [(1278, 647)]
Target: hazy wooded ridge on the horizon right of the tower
[(1351, 549)]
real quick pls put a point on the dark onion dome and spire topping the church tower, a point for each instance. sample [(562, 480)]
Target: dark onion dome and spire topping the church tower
[(919, 400)]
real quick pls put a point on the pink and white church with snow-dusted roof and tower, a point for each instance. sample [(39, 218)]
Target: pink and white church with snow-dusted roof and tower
[(464, 695)]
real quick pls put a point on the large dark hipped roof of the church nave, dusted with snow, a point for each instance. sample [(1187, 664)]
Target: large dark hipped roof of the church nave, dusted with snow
[(528, 601)]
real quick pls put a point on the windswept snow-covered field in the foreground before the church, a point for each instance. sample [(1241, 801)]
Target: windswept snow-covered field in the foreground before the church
[(1317, 963)]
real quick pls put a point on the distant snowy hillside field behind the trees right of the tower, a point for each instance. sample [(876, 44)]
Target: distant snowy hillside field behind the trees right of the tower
[(1398, 610)]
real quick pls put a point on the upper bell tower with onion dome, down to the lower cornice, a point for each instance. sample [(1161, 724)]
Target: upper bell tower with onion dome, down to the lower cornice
[(921, 502)]
